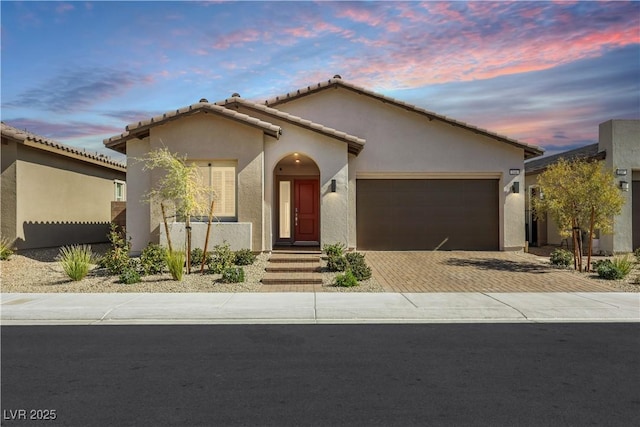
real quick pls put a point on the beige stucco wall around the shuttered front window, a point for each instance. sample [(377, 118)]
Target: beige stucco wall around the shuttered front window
[(202, 137)]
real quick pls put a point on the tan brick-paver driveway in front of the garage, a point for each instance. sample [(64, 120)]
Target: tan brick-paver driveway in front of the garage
[(462, 271)]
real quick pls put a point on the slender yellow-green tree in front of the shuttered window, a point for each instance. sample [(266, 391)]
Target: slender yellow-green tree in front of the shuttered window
[(180, 185)]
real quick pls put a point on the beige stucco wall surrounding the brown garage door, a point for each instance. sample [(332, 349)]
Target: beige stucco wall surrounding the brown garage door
[(402, 141)]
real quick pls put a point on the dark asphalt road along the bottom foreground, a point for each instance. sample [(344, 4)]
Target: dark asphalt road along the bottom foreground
[(322, 375)]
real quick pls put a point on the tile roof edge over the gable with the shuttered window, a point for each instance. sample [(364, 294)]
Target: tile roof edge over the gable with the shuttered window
[(141, 128)]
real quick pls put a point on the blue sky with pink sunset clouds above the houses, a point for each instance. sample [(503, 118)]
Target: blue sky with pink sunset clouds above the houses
[(545, 73)]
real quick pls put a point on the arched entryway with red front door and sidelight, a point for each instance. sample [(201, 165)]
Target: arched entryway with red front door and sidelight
[(297, 201)]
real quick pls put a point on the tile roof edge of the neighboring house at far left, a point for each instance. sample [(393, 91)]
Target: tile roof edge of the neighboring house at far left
[(40, 142)]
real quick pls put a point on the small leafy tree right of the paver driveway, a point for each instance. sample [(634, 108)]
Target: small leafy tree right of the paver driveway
[(579, 193)]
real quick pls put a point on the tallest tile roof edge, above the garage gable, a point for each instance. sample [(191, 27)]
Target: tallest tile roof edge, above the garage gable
[(530, 151)]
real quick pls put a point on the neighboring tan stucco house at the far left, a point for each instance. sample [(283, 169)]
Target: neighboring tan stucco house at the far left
[(54, 195)]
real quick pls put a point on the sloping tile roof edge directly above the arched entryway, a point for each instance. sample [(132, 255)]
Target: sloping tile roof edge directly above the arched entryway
[(355, 143)]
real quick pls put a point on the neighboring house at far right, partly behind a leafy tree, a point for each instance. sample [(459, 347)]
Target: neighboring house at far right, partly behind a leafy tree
[(619, 149)]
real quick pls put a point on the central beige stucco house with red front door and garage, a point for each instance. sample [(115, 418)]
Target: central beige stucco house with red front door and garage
[(335, 162)]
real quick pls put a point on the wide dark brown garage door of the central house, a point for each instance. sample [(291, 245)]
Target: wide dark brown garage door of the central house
[(400, 214)]
